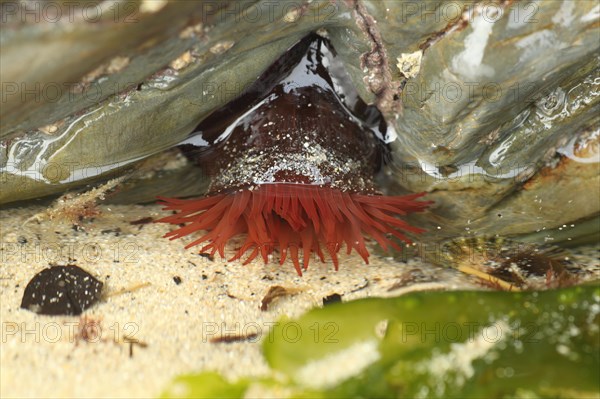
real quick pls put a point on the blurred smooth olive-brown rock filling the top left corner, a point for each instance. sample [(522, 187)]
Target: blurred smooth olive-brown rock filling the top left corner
[(63, 41)]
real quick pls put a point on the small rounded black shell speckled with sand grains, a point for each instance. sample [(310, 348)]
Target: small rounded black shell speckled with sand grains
[(61, 290)]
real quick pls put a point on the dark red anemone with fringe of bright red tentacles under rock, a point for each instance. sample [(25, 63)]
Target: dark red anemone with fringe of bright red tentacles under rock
[(293, 161)]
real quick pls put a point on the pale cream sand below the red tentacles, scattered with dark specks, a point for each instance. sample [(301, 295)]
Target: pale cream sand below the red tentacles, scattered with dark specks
[(172, 300)]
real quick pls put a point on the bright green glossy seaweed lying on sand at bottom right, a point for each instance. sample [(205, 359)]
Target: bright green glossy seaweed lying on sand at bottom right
[(437, 344)]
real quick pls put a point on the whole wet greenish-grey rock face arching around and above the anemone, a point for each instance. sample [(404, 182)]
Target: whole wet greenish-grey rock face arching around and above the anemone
[(488, 99)]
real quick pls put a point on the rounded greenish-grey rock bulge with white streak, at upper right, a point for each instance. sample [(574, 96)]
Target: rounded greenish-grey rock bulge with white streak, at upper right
[(484, 75)]
